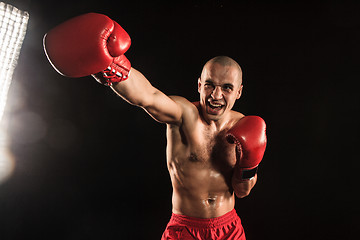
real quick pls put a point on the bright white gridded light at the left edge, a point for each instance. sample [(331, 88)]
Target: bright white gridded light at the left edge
[(13, 24)]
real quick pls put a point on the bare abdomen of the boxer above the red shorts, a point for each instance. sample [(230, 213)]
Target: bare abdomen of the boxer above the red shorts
[(199, 190)]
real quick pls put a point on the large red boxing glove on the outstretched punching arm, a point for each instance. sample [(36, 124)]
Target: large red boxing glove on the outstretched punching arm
[(89, 44)]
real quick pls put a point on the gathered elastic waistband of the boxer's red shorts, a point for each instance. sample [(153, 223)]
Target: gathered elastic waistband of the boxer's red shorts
[(206, 222)]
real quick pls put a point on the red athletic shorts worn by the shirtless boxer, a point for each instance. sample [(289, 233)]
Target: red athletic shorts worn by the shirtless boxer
[(183, 227)]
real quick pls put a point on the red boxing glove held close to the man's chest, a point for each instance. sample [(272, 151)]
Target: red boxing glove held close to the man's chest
[(249, 135)]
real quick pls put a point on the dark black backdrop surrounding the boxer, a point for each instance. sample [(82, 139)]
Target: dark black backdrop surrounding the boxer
[(90, 166)]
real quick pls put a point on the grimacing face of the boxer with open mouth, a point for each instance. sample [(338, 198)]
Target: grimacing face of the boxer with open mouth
[(219, 87)]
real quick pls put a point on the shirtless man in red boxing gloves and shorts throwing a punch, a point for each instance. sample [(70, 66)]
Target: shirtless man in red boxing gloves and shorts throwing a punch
[(212, 151)]
